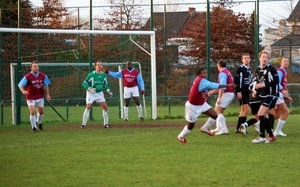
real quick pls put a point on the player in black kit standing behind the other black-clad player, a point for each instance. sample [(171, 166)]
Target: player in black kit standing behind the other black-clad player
[(242, 80)]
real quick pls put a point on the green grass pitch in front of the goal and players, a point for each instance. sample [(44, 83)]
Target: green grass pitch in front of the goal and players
[(65, 155)]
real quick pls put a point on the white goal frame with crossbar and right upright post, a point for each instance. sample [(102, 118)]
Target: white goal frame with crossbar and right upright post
[(152, 53)]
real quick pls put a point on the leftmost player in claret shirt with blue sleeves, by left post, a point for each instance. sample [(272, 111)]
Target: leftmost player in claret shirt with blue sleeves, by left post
[(35, 85)]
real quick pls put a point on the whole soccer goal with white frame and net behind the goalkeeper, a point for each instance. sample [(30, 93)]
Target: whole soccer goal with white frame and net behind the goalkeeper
[(67, 56)]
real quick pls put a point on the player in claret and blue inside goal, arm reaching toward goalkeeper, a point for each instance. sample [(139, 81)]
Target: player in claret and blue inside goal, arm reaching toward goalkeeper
[(132, 81)]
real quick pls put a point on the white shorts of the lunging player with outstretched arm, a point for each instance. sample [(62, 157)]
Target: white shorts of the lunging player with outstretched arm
[(192, 112)]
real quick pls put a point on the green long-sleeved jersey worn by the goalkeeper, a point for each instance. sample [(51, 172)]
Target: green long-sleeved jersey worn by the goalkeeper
[(96, 80)]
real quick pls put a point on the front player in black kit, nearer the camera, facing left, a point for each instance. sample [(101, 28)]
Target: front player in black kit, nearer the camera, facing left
[(268, 89)]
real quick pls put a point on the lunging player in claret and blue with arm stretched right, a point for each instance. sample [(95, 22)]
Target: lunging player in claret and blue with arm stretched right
[(196, 104)]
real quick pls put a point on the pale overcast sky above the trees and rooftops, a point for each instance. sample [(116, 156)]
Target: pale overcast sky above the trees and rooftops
[(271, 11)]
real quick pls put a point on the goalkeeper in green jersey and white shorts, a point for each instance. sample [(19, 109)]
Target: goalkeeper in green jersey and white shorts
[(95, 83)]
